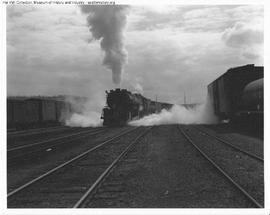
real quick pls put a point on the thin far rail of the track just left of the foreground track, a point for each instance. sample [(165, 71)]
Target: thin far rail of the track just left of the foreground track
[(51, 140)]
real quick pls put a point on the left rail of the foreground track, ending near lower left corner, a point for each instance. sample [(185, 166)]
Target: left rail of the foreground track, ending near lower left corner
[(15, 191)]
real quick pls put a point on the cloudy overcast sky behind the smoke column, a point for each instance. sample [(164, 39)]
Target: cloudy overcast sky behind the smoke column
[(171, 49)]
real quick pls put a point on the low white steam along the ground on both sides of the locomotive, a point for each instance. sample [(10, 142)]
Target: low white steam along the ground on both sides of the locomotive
[(200, 114)]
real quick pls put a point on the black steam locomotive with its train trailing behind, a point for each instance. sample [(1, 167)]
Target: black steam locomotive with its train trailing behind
[(124, 106)]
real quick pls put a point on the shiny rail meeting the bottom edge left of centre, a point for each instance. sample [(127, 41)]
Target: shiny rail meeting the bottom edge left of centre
[(108, 171)]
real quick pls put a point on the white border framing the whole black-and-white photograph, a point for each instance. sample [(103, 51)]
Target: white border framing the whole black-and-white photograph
[(3, 177)]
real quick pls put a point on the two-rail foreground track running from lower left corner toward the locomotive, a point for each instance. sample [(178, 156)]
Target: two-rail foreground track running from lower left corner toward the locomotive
[(78, 167)]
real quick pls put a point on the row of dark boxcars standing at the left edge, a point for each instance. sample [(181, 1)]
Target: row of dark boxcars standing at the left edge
[(35, 112)]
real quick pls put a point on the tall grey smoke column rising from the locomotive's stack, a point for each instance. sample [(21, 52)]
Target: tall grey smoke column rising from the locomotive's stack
[(108, 23)]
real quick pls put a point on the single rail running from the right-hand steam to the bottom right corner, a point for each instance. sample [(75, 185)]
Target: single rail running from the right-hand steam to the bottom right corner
[(255, 202)]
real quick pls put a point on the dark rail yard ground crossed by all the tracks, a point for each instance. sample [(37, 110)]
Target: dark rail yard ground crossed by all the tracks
[(166, 166)]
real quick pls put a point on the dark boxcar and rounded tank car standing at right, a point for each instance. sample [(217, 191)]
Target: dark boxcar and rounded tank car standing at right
[(237, 95)]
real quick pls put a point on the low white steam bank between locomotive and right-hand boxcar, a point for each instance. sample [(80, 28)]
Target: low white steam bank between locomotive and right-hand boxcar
[(200, 114)]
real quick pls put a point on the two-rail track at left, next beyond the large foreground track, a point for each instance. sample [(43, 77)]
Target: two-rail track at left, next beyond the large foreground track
[(25, 150)]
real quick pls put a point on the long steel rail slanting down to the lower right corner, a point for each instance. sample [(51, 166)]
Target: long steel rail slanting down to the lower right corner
[(239, 187)]
